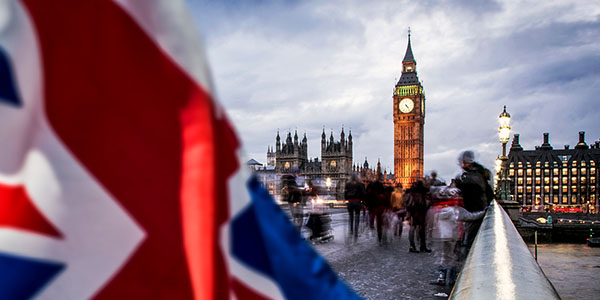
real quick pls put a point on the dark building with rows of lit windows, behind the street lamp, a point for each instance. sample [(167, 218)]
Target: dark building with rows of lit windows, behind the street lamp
[(561, 180)]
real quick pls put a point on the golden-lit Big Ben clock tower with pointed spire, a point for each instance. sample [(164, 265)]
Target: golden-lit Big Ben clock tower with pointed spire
[(409, 118)]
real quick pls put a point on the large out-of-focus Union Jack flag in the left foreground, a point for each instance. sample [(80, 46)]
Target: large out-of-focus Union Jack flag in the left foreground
[(120, 174)]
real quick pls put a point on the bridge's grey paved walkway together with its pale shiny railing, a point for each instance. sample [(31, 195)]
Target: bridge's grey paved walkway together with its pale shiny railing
[(499, 266)]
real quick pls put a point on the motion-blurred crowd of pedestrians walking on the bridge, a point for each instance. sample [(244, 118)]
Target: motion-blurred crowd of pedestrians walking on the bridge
[(443, 219)]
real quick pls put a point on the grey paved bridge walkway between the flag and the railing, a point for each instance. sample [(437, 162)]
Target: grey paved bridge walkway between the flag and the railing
[(381, 272)]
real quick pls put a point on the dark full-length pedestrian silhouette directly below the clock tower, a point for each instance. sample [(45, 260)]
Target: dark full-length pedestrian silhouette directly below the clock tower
[(417, 205)]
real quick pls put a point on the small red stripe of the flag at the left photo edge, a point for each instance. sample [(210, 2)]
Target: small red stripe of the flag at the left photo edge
[(18, 211)]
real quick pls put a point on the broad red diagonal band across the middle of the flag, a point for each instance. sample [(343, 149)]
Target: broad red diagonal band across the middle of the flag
[(148, 134)]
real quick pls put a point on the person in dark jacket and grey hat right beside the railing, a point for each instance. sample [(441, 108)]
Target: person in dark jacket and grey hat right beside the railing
[(475, 190)]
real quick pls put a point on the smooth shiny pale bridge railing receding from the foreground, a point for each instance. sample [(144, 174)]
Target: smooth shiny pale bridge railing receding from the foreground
[(500, 266)]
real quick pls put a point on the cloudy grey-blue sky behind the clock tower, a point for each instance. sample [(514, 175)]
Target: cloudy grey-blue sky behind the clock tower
[(309, 65)]
